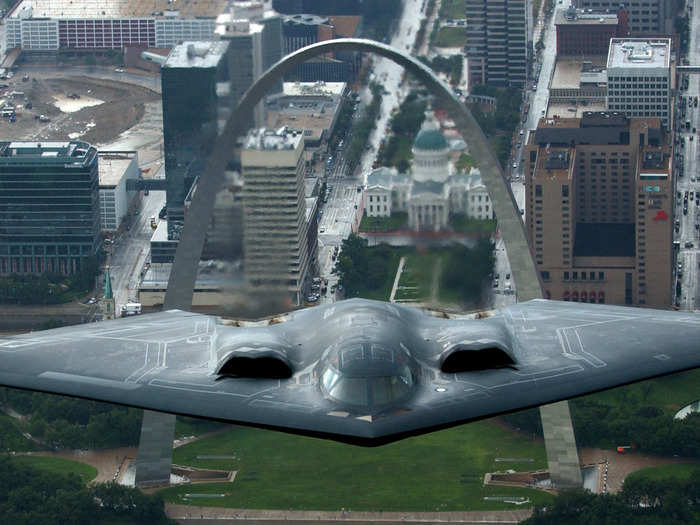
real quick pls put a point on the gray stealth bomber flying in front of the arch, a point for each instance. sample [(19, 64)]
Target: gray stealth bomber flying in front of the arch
[(358, 371)]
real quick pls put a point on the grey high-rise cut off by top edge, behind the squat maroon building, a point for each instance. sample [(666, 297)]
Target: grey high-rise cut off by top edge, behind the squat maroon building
[(646, 17)]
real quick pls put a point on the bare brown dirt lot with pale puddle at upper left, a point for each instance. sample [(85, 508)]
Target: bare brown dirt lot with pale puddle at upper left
[(120, 107)]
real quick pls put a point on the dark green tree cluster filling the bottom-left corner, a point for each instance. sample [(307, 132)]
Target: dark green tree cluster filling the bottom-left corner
[(29, 495)]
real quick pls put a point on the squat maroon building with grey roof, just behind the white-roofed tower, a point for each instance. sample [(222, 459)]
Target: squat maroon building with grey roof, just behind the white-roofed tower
[(588, 33)]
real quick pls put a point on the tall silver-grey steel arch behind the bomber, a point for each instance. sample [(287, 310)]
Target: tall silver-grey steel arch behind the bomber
[(155, 448)]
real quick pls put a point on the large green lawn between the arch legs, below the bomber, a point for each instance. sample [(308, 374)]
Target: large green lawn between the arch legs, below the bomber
[(439, 471)]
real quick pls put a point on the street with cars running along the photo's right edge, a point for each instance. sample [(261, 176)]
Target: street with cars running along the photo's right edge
[(688, 149)]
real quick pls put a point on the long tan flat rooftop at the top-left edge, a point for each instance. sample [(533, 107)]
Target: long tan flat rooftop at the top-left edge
[(118, 8)]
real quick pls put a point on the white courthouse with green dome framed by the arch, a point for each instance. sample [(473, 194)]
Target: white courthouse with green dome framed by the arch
[(431, 192)]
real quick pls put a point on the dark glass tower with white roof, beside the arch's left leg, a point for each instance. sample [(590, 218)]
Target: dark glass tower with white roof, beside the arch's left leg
[(196, 97)]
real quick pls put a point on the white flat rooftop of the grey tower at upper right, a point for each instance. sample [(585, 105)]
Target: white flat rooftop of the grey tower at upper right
[(639, 53)]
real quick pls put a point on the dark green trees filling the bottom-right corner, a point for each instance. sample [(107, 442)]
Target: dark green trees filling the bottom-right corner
[(641, 502)]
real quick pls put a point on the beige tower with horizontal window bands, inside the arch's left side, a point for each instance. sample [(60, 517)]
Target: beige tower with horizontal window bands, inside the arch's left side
[(278, 244)]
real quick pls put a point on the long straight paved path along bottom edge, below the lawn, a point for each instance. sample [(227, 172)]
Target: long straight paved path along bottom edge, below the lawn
[(200, 515)]
